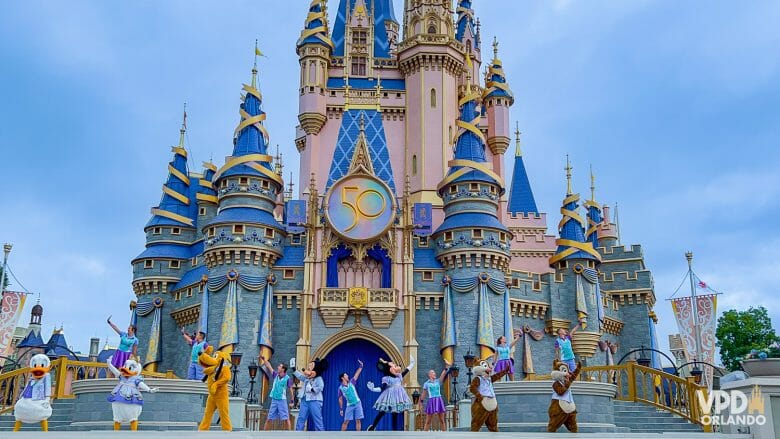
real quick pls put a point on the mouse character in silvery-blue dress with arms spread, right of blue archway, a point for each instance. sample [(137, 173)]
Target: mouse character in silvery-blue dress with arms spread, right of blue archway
[(393, 398)]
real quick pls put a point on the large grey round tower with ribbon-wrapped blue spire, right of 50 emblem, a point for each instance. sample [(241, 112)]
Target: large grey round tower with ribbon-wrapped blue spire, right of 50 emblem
[(472, 244)]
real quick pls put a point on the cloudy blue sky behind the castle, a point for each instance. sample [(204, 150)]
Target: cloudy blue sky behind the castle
[(676, 105)]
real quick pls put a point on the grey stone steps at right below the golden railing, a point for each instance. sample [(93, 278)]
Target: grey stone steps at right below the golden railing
[(643, 418)]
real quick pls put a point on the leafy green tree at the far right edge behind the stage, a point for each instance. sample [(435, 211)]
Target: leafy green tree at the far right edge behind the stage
[(739, 332)]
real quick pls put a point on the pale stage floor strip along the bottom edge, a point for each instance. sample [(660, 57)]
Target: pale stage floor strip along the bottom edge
[(357, 435)]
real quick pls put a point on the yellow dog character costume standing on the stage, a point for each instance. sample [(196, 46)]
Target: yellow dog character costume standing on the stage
[(216, 370)]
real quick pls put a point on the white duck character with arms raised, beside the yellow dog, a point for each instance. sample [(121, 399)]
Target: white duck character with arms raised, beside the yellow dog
[(126, 400)]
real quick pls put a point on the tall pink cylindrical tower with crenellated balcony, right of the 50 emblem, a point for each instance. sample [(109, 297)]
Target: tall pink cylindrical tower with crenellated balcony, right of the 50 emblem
[(431, 60)]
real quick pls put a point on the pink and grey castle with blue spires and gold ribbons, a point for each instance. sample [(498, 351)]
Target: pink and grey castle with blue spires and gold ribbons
[(407, 238)]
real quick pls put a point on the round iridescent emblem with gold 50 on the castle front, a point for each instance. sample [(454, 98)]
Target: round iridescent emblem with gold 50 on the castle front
[(360, 207)]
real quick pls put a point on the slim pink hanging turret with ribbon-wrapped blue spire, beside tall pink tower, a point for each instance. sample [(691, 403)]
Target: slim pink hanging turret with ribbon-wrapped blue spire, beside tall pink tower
[(497, 98)]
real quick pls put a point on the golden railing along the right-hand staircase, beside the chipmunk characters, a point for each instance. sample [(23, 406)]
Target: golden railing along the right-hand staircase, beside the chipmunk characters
[(652, 386)]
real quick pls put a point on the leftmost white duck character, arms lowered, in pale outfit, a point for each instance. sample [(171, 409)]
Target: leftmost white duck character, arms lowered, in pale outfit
[(34, 405)]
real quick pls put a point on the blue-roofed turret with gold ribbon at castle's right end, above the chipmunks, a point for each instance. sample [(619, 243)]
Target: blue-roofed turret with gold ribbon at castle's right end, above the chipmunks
[(575, 262)]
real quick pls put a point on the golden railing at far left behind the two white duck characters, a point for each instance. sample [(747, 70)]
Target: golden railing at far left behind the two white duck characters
[(63, 373)]
